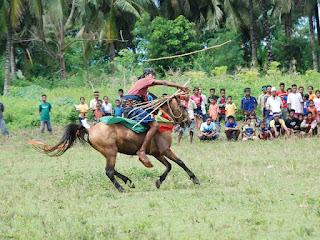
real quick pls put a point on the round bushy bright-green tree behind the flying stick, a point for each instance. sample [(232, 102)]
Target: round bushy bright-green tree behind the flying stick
[(163, 38)]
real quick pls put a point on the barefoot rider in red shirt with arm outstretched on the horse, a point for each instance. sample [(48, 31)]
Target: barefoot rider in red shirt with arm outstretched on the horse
[(139, 92)]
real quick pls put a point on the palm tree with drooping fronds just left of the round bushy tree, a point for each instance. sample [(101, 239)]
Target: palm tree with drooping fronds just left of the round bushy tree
[(104, 18)]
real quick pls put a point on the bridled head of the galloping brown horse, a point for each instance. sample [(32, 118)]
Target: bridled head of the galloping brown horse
[(175, 111)]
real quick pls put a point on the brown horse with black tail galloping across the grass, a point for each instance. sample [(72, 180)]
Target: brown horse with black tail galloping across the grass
[(111, 139)]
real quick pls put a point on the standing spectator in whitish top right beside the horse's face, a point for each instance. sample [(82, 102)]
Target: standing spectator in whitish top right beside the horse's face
[(189, 105)]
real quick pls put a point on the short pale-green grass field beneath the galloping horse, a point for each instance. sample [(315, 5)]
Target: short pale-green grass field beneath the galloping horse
[(249, 190)]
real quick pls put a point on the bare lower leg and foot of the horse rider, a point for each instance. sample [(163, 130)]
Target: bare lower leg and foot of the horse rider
[(154, 126)]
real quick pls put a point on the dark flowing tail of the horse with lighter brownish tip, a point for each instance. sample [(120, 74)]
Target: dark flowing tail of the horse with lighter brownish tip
[(71, 134)]
